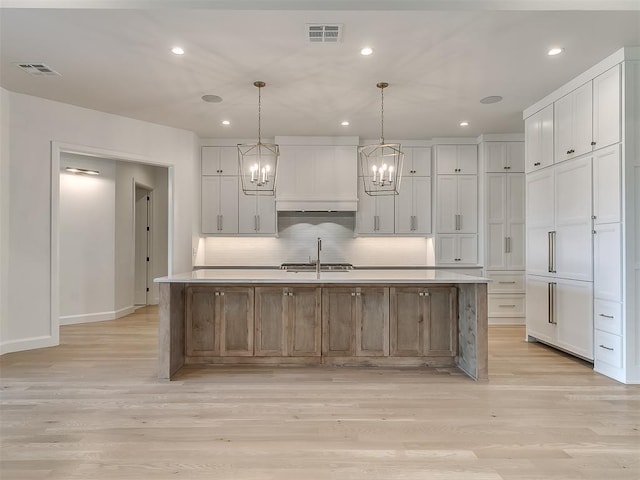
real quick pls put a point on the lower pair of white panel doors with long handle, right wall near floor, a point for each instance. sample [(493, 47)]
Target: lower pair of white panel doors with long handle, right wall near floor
[(560, 312)]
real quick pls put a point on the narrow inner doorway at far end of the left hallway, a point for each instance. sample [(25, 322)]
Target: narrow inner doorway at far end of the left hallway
[(143, 243)]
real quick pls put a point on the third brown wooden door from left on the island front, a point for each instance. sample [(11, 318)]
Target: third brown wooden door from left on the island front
[(270, 331)]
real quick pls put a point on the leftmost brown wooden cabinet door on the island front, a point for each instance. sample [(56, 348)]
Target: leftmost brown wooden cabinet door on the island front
[(202, 326)]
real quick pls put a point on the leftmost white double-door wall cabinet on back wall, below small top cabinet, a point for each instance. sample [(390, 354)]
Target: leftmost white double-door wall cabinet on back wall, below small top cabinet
[(219, 204)]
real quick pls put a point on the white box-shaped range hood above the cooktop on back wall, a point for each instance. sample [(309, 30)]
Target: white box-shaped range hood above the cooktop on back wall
[(317, 174)]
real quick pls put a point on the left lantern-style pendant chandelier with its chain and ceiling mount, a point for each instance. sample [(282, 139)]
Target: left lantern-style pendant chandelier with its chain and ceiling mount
[(258, 162)]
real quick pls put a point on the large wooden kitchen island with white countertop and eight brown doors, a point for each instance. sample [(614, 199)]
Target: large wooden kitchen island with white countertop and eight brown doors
[(385, 317)]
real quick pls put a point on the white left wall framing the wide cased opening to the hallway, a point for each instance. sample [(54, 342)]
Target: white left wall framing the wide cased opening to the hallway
[(33, 125)]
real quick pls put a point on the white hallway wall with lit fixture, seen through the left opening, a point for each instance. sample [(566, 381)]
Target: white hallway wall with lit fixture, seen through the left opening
[(87, 229)]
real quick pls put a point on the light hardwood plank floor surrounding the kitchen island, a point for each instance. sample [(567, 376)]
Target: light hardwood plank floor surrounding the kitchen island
[(93, 409)]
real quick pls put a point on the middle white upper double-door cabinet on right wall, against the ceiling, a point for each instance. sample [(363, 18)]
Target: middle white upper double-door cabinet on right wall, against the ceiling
[(572, 123)]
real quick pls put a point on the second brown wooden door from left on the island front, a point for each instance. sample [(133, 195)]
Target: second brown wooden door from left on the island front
[(236, 313)]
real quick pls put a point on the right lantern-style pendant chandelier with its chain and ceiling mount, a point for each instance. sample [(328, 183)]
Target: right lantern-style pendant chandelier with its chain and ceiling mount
[(381, 164)]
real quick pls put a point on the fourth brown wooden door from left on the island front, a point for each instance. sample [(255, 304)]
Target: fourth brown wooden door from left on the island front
[(304, 322)]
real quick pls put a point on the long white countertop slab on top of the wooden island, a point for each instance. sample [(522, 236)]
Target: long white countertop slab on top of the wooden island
[(351, 276)]
